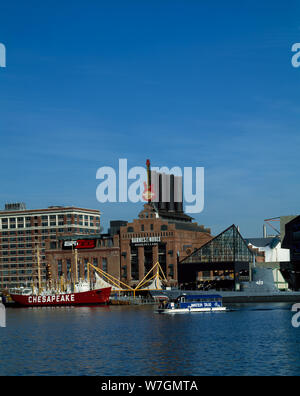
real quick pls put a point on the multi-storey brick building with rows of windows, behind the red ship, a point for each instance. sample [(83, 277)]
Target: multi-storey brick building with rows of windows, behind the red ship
[(24, 235)]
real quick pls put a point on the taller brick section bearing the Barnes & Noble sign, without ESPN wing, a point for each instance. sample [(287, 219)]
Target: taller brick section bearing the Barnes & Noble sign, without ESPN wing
[(158, 236)]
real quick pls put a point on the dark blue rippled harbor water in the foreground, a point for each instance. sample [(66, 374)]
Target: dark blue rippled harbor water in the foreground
[(253, 339)]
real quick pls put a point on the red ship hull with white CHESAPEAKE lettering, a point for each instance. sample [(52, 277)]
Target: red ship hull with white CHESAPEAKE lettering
[(98, 296)]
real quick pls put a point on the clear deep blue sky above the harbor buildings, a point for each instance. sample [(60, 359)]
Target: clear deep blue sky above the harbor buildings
[(184, 83)]
